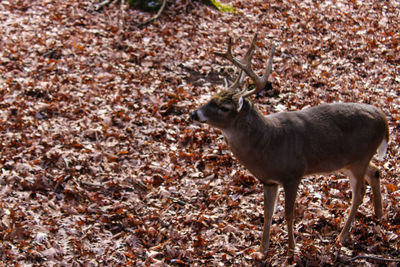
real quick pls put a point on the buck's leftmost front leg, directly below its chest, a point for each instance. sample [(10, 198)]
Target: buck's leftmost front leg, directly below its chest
[(270, 194)]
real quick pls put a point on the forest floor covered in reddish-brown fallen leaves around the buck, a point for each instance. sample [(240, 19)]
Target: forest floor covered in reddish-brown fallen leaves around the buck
[(100, 164)]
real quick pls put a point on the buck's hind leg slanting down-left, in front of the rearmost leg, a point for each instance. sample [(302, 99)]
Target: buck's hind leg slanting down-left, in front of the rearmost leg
[(357, 183)]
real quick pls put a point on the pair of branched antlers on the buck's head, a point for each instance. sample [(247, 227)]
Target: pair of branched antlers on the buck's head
[(245, 65)]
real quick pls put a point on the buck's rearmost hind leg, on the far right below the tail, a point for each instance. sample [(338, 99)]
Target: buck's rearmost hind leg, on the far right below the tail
[(373, 179)]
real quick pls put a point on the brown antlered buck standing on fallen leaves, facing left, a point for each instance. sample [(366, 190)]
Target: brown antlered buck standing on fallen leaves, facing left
[(279, 149)]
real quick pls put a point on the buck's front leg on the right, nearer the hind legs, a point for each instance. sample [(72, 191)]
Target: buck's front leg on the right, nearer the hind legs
[(290, 198)]
